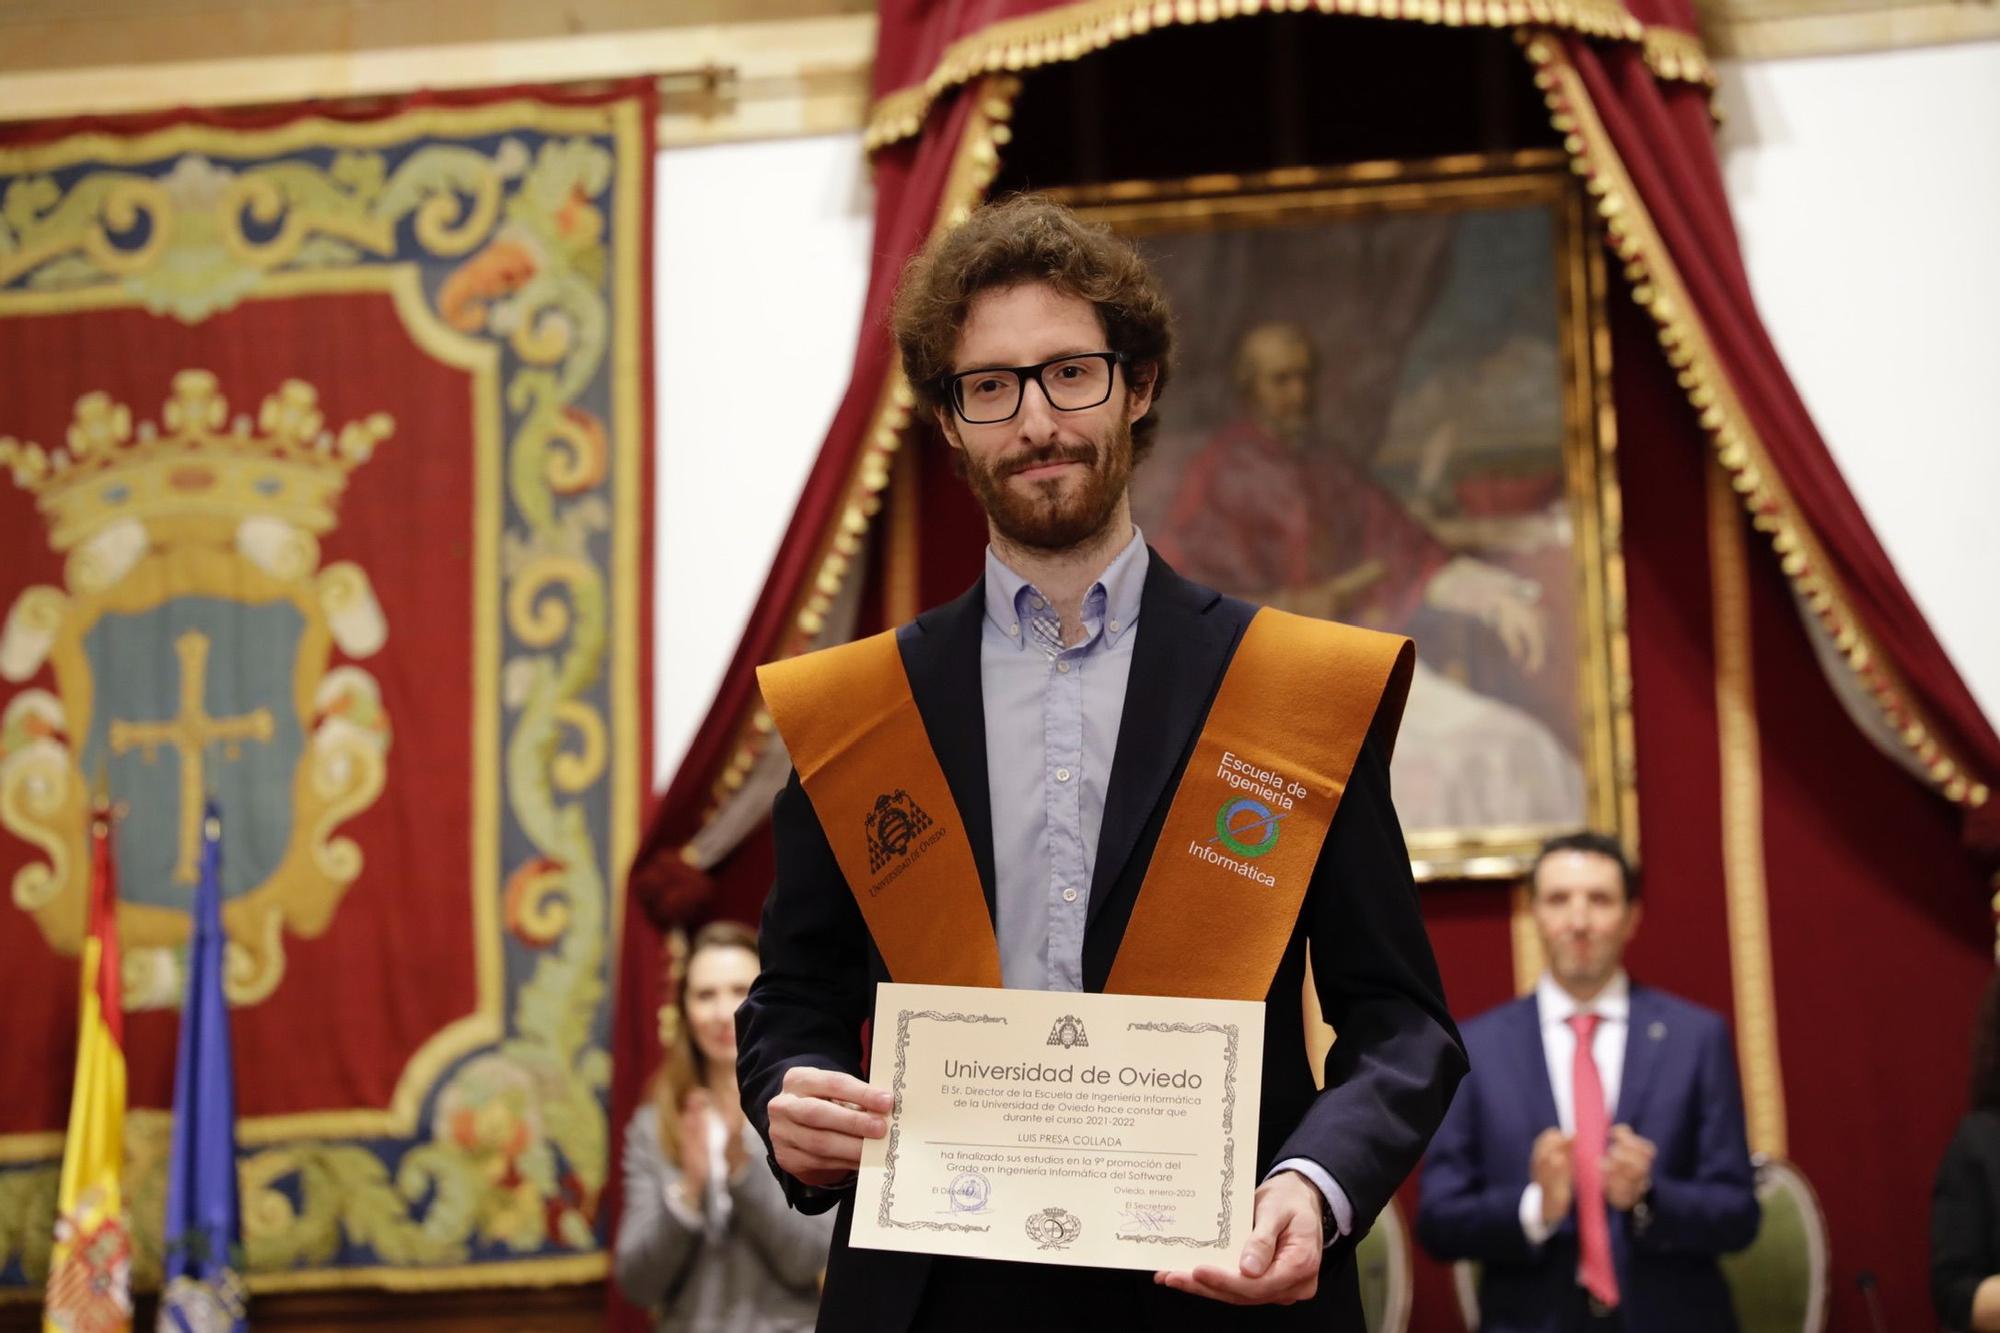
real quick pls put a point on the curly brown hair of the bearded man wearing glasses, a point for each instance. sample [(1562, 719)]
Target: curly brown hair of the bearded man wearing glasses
[(1033, 239)]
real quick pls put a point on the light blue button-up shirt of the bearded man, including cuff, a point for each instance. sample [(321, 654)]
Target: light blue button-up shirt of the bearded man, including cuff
[(1053, 720)]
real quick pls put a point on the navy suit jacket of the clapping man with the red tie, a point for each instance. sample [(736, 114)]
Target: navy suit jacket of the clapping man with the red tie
[(1679, 1090)]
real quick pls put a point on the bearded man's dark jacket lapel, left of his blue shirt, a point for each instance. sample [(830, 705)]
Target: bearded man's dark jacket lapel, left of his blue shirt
[(941, 653)]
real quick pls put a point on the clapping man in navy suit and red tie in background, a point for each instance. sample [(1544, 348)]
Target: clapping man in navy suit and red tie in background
[(1595, 1160)]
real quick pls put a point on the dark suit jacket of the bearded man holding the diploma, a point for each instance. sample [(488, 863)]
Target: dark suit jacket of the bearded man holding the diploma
[(1389, 1076)]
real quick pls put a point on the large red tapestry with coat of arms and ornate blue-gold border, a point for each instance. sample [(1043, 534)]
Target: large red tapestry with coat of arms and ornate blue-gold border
[(325, 495)]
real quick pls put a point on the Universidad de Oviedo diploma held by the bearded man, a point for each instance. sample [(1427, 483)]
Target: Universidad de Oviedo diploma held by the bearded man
[(1063, 1128)]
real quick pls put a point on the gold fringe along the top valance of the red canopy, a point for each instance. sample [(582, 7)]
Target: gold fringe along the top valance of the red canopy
[(1075, 31)]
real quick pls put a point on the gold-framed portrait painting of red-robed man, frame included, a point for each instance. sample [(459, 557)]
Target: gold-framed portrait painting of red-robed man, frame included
[(1391, 405)]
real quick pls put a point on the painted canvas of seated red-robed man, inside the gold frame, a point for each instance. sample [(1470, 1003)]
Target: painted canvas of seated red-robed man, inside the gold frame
[(1371, 483)]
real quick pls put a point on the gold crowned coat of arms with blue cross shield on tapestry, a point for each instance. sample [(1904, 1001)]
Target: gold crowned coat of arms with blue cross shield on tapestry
[(193, 651)]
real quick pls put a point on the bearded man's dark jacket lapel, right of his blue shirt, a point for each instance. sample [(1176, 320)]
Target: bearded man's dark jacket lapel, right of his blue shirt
[(1177, 665)]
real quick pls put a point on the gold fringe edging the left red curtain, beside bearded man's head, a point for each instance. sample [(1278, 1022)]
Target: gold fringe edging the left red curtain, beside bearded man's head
[(967, 183)]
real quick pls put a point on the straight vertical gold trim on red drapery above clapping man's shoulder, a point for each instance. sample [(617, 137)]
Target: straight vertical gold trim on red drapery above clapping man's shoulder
[(1745, 892)]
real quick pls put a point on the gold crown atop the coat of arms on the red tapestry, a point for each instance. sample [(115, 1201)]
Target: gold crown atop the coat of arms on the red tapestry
[(195, 475)]
